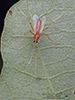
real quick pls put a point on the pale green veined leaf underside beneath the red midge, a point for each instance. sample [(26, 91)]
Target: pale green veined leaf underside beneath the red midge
[(51, 72)]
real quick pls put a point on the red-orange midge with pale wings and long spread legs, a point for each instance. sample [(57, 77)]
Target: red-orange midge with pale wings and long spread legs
[(38, 25)]
